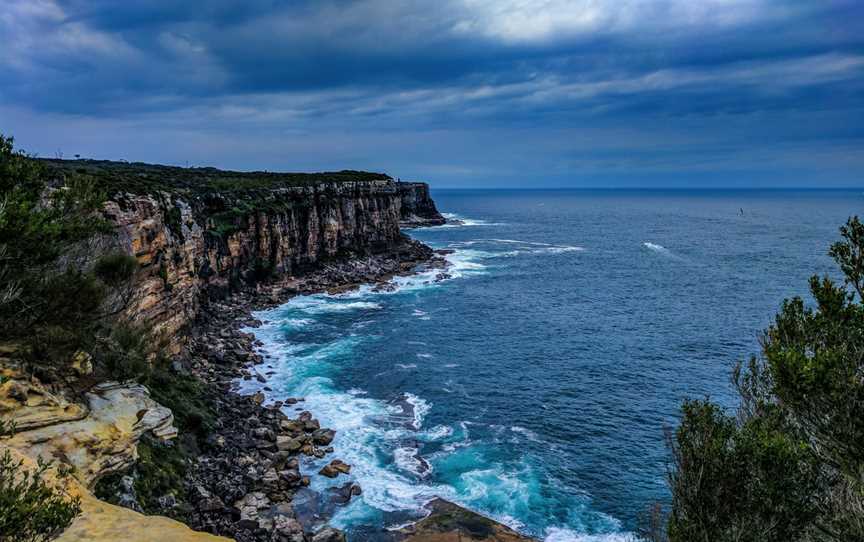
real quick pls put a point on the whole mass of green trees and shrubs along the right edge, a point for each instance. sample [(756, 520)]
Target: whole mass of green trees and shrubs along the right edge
[(790, 466)]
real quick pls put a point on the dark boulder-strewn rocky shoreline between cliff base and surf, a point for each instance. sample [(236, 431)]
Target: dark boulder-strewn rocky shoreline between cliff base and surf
[(247, 482)]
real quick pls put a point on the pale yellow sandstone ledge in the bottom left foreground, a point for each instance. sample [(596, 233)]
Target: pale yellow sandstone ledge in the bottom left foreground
[(96, 439)]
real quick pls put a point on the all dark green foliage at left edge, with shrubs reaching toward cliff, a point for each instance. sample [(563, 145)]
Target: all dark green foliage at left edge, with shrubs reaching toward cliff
[(54, 298)]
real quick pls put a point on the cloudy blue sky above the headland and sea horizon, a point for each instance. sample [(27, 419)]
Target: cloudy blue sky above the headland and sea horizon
[(460, 93)]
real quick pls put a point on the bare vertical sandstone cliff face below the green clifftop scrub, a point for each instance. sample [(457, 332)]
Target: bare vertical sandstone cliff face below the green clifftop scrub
[(190, 249)]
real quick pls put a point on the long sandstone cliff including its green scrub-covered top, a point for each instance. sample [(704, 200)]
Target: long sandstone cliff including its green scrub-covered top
[(200, 233)]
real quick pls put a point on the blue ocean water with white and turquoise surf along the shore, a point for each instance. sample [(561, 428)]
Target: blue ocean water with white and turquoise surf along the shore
[(535, 384)]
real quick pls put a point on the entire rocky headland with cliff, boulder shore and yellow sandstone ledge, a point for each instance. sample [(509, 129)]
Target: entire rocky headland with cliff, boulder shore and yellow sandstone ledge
[(212, 247)]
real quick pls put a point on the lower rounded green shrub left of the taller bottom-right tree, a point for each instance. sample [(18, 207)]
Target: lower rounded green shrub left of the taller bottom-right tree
[(747, 482)]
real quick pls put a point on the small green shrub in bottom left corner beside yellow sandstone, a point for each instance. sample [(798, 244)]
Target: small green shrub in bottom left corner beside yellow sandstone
[(31, 510)]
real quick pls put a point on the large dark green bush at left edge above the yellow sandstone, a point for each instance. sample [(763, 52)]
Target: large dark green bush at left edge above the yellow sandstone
[(47, 302)]
